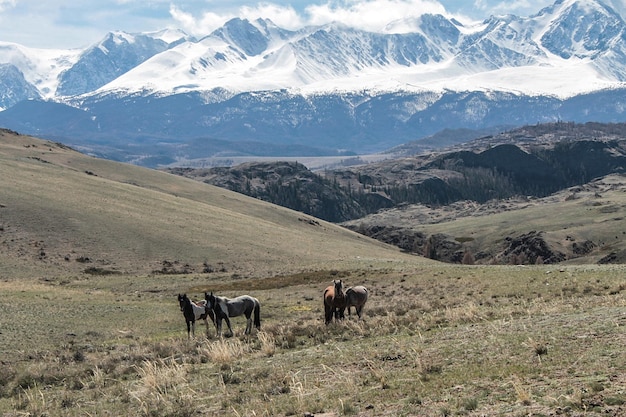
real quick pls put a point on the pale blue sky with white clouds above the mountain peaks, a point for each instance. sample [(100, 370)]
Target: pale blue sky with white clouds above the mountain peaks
[(69, 24)]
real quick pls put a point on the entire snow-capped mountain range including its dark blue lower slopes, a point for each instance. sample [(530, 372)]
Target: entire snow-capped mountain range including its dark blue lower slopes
[(251, 88)]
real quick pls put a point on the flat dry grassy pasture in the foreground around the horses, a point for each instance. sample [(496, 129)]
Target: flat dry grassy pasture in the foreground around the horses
[(436, 340)]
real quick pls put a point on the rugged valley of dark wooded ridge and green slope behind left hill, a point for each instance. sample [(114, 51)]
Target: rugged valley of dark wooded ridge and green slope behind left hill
[(448, 199)]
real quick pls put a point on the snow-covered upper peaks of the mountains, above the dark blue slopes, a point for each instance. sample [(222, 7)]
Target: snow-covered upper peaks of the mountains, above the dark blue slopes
[(422, 52)]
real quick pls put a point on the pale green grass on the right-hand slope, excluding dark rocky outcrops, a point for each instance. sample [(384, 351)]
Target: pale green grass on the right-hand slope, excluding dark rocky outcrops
[(593, 213)]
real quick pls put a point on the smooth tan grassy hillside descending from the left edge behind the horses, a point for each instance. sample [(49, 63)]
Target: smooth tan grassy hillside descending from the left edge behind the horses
[(62, 212)]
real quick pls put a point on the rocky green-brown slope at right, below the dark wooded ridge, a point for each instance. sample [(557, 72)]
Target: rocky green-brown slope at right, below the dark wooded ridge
[(582, 225)]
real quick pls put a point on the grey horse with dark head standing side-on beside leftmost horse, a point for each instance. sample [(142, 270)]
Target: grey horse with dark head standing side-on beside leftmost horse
[(224, 308)]
